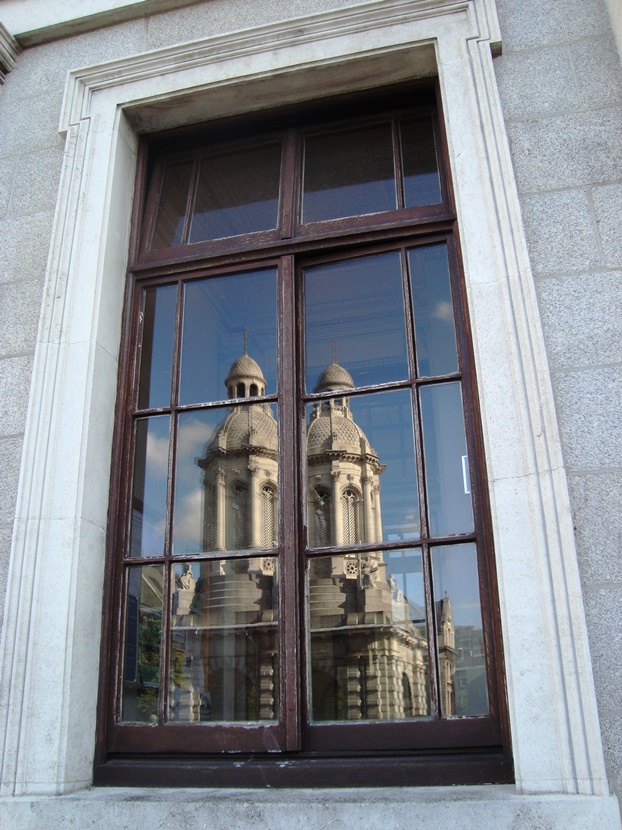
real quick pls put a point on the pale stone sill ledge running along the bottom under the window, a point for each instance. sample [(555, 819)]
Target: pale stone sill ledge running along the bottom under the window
[(470, 808)]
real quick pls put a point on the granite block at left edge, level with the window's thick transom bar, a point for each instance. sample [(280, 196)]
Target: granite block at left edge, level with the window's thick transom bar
[(25, 245)]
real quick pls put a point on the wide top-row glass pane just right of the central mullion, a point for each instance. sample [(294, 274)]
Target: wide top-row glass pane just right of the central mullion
[(348, 173)]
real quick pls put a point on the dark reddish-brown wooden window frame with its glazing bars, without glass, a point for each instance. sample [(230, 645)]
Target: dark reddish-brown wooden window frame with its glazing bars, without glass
[(441, 751)]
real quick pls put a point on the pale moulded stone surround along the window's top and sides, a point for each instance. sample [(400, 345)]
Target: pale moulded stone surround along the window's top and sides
[(50, 658)]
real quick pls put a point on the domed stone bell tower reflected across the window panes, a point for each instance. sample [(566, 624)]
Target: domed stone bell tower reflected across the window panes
[(368, 638)]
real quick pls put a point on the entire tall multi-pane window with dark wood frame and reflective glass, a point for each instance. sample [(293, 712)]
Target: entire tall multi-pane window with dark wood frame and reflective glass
[(302, 564)]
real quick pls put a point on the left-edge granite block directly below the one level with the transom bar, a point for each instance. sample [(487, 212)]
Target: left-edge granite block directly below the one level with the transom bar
[(21, 303)]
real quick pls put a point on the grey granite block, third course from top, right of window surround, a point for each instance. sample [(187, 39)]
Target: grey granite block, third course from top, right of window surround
[(567, 151)]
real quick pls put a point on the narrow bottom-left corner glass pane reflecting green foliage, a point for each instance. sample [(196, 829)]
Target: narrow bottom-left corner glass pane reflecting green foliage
[(143, 635)]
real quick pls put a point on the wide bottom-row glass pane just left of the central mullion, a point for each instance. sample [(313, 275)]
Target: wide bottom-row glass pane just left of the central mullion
[(224, 648)]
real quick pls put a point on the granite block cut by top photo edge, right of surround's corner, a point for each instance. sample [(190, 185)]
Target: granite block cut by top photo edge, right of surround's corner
[(531, 23)]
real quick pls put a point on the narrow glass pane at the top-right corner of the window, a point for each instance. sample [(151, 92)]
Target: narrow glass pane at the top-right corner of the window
[(421, 181)]
